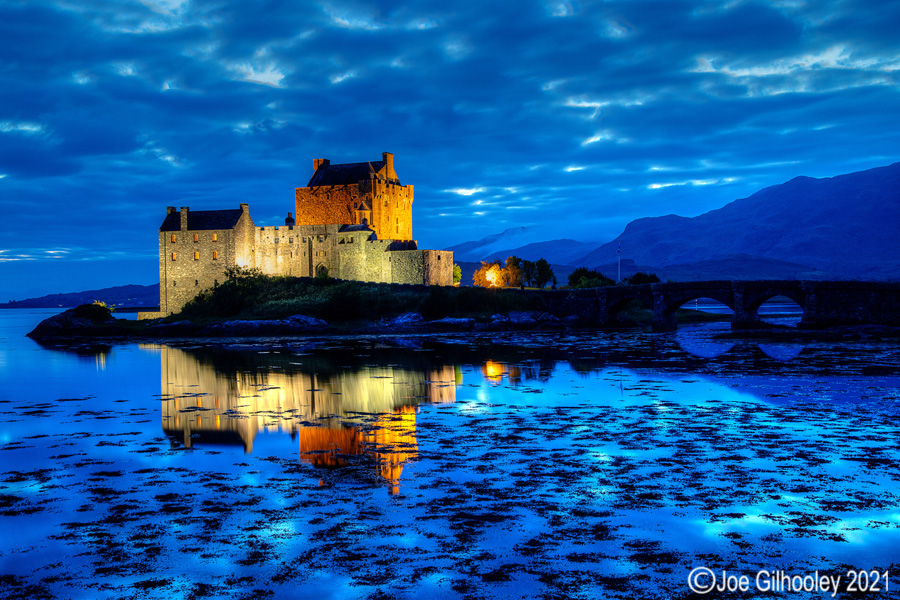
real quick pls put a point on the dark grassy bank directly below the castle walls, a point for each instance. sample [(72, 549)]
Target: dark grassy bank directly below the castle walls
[(266, 297)]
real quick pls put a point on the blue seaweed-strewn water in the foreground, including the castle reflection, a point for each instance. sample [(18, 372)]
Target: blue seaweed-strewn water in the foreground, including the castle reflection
[(558, 465)]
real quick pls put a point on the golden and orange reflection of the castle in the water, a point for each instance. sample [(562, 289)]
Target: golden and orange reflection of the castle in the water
[(368, 411)]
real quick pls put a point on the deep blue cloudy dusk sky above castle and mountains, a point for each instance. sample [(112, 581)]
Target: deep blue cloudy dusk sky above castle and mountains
[(570, 117)]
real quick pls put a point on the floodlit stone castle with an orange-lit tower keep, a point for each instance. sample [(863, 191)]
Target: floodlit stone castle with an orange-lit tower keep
[(354, 221)]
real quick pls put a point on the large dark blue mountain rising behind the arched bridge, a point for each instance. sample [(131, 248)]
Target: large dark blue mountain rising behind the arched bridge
[(845, 226)]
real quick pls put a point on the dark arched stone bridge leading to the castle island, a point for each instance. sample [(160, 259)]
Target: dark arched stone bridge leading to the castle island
[(824, 303)]
